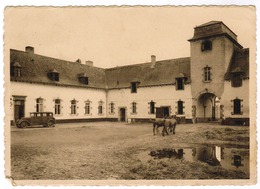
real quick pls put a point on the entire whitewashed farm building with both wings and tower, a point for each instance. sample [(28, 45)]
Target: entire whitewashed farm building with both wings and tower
[(211, 84)]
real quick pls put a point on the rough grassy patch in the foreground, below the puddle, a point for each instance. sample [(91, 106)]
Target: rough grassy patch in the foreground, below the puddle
[(179, 169)]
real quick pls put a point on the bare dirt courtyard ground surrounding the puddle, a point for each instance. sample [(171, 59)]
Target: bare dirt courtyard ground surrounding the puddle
[(113, 150)]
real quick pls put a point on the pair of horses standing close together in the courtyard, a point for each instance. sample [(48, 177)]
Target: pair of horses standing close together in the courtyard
[(168, 124)]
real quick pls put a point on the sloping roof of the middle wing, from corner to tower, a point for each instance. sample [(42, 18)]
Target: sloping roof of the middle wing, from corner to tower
[(164, 73)]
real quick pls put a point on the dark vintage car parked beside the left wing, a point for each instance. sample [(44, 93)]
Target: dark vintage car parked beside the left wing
[(37, 118)]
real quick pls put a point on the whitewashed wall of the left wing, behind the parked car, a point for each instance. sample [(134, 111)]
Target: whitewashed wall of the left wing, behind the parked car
[(66, 94)]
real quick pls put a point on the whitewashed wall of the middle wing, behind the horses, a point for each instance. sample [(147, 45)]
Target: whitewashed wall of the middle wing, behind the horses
[(161, 95)]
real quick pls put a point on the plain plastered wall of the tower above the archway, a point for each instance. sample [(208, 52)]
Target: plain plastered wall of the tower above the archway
[(218, 59)]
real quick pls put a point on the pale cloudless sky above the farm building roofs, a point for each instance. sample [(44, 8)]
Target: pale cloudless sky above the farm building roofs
[(118, 36)]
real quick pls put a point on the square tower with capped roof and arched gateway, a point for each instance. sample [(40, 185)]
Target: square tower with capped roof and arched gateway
[(211, 50)]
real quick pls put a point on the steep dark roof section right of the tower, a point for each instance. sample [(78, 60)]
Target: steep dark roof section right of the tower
[(239, 63)]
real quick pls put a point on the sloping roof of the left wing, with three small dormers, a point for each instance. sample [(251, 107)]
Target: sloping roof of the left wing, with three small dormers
[(35, 69)]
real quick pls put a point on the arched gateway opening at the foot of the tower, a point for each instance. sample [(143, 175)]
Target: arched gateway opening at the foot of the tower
[(207, 107)]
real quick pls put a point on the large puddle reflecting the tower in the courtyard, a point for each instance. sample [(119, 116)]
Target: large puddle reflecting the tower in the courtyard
[(229, 158)]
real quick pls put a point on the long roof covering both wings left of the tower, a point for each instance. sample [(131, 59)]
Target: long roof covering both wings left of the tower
[(35, 69)]
